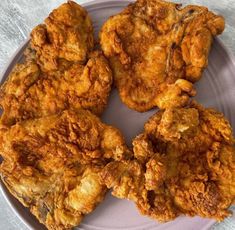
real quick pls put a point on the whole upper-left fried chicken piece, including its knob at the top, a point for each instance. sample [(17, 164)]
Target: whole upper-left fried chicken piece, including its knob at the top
[(59, 72)]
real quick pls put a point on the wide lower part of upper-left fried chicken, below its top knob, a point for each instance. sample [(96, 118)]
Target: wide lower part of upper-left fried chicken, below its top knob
[(31, 93)]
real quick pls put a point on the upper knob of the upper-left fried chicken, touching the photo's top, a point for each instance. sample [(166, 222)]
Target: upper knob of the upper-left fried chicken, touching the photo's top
[(66, 35)]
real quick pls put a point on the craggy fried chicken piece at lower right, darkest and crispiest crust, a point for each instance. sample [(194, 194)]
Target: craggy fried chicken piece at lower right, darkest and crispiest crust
[(184, 163)]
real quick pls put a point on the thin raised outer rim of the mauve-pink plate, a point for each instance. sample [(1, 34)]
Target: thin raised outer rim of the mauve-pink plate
[(16, 56)]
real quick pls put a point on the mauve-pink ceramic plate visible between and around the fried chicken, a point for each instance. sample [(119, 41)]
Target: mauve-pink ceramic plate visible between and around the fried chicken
[(215, 89)]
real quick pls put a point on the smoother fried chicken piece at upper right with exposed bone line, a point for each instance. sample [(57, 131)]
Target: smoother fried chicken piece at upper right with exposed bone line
[(157, 50)]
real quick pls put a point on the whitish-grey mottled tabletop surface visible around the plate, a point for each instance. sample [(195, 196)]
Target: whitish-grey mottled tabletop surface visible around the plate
[(18, 17)]
